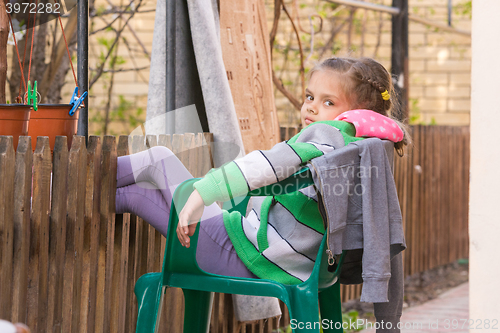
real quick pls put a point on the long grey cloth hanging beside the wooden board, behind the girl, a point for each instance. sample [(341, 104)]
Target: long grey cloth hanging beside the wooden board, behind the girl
[(202, 97)]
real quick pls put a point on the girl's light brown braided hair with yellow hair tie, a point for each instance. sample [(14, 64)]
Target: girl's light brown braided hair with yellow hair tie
[(363, 81)]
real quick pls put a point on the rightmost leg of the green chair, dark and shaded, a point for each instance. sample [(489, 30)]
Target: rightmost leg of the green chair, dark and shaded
[(331, 308)]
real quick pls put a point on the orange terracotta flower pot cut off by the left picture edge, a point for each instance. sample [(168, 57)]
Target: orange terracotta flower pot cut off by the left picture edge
[(14, 119)]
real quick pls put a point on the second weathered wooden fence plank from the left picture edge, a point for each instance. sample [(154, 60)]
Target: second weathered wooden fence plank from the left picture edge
[(22, 215)]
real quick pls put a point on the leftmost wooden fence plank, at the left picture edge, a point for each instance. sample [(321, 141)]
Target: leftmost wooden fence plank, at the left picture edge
[(7, 163)]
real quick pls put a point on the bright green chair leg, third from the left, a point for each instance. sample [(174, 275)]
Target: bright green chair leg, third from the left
[(304, 314)]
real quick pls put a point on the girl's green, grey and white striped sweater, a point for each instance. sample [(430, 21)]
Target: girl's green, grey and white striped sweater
[(280, 236)]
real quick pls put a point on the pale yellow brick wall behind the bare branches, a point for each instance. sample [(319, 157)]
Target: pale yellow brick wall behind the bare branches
[(439, 61)]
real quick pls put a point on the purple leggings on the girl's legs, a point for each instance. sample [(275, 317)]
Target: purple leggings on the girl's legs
[(145, 184)]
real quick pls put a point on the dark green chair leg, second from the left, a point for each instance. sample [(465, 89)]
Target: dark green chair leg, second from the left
[(197, 310)]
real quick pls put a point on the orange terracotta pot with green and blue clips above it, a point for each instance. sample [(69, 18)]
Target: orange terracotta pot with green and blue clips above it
[(52, 120)]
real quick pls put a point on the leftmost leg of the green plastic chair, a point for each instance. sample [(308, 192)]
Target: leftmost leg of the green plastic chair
[(148, 292)]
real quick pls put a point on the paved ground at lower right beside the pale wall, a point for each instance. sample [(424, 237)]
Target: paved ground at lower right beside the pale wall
[(447, 313)]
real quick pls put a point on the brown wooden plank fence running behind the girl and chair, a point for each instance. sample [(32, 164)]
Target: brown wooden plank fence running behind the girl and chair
[(69, 264)]
